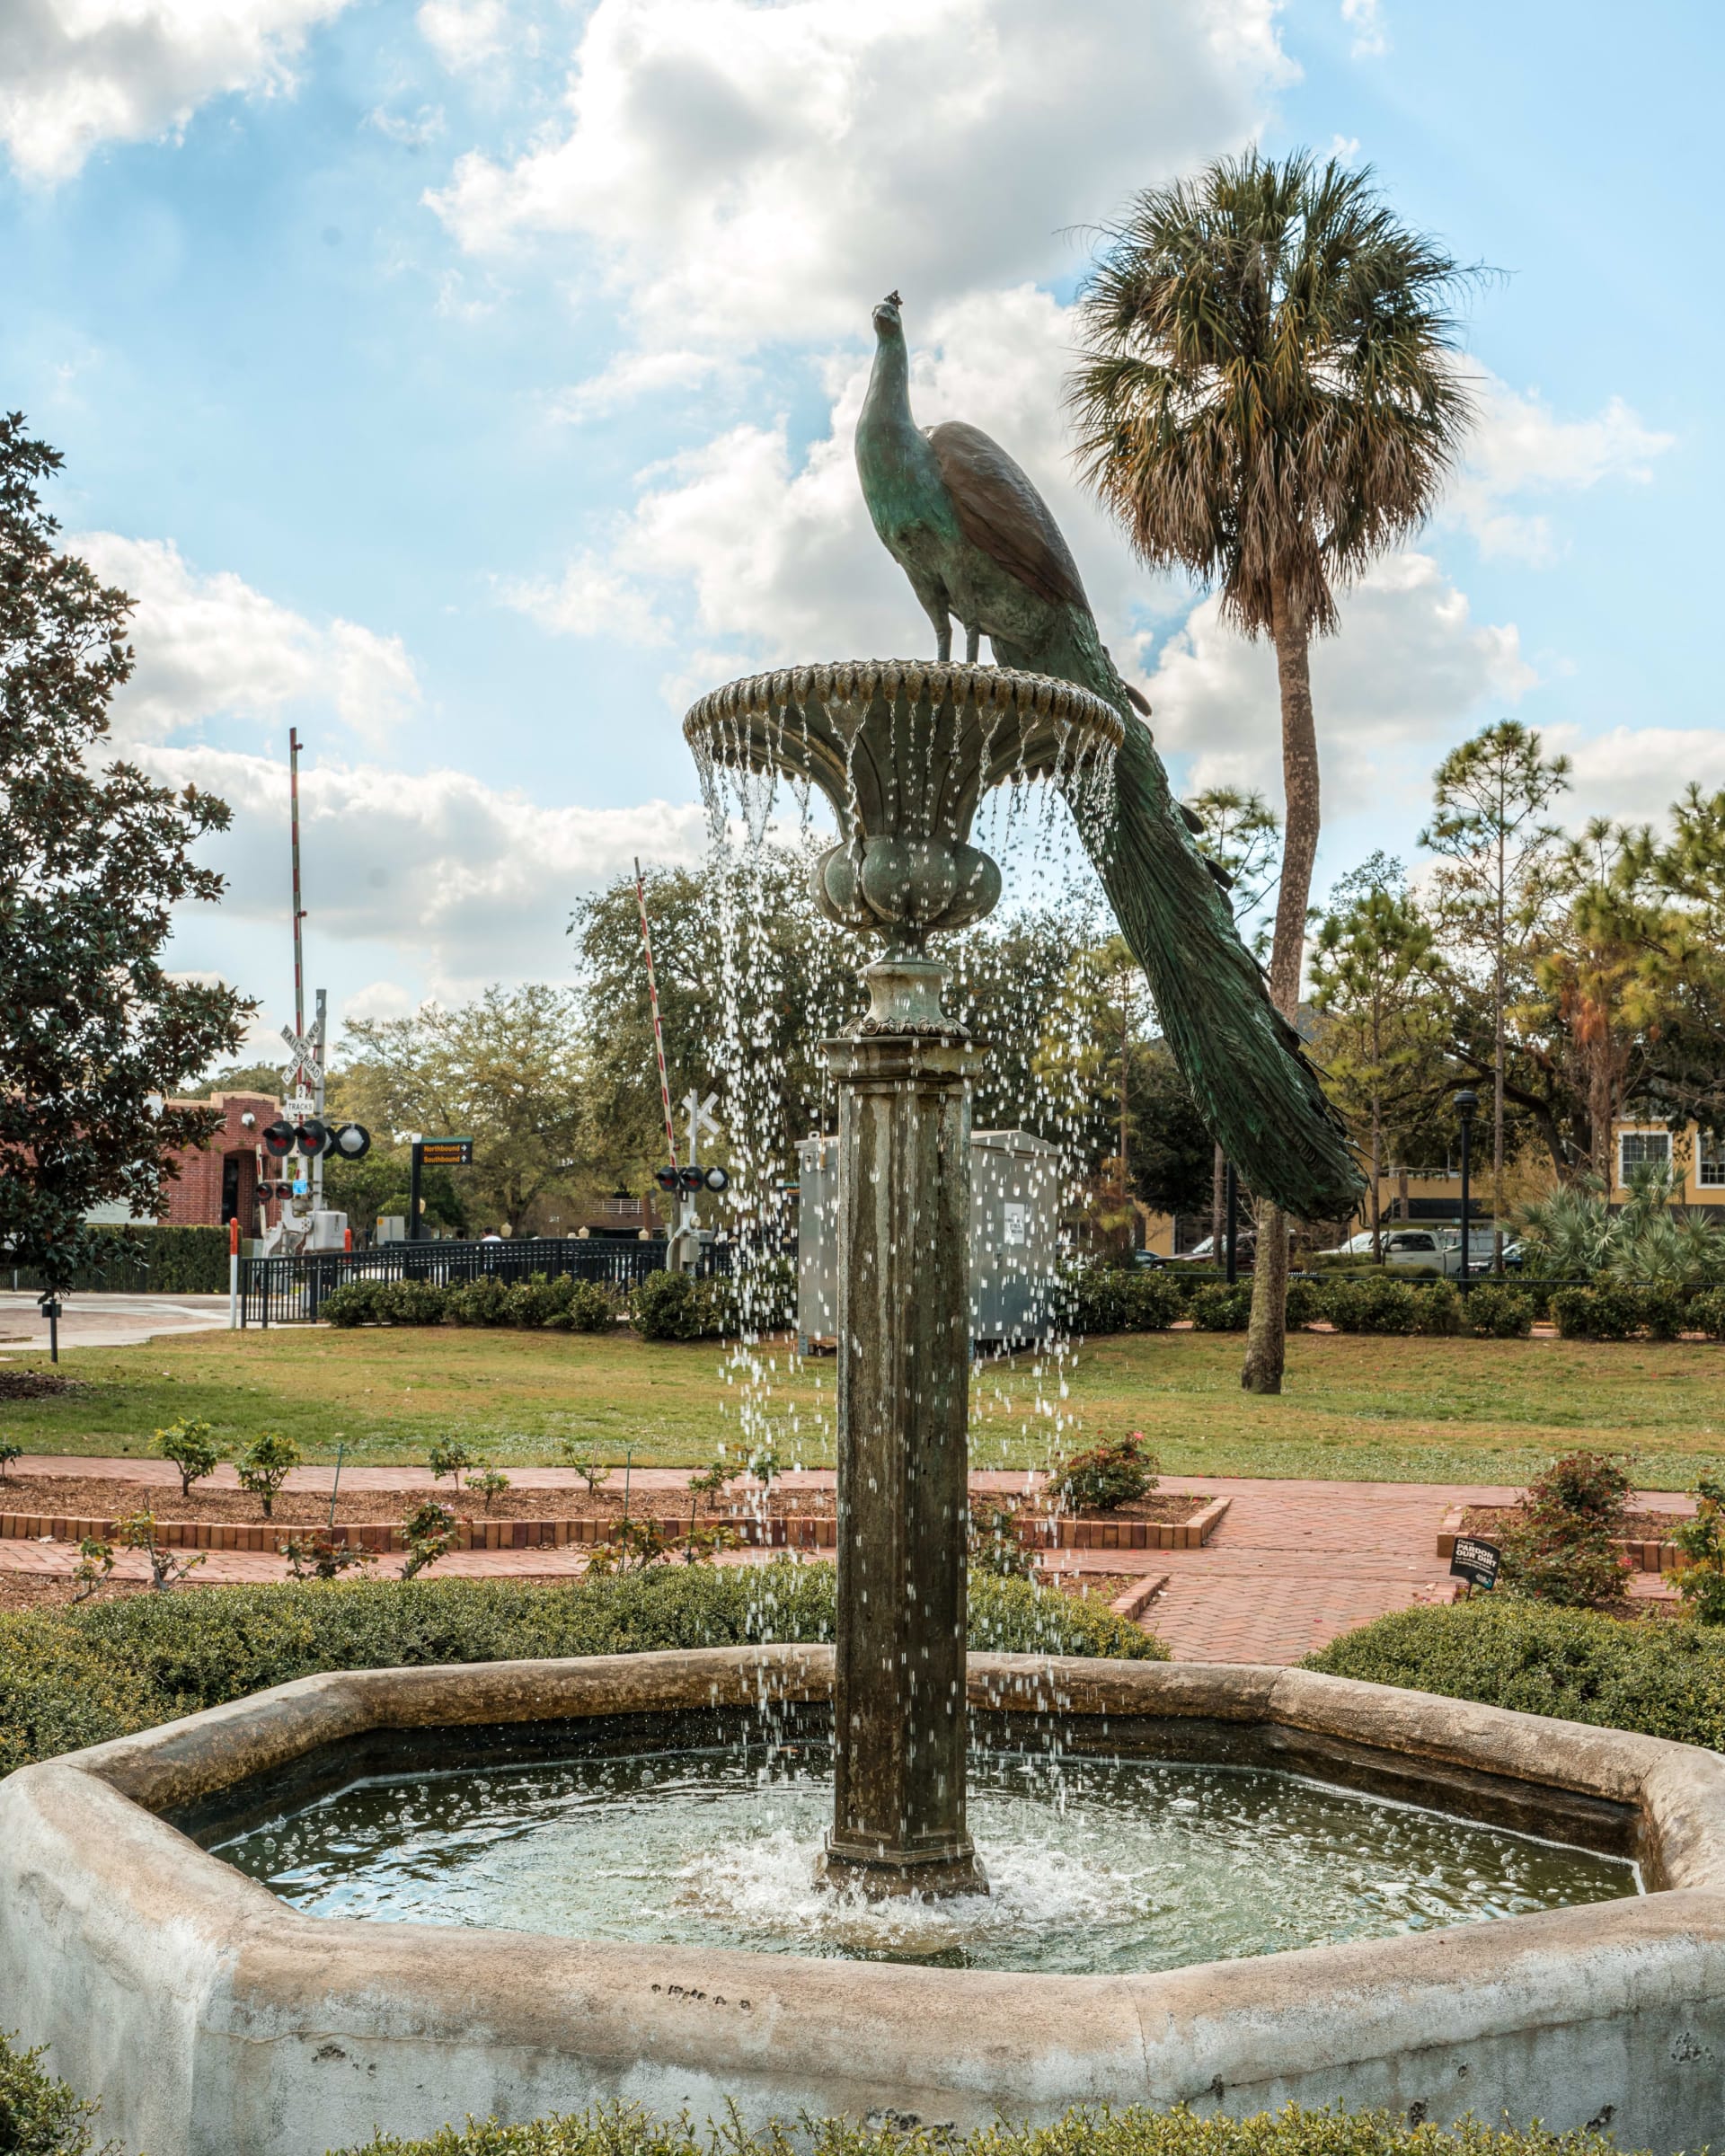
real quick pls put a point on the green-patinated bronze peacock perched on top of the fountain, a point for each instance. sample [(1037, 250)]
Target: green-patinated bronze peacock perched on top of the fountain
[(980, 544)]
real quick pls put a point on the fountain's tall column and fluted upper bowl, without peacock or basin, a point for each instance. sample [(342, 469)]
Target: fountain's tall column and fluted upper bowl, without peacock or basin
[(905, 756)]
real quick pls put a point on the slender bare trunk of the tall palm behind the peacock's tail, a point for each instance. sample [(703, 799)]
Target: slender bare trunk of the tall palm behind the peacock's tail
[(1267, 1338)]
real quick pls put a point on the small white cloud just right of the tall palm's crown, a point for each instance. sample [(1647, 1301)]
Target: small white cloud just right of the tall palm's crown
[(1521, 447)]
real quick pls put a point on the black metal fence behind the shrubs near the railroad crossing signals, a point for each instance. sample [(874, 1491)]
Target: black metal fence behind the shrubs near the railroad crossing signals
[(292, 1290)]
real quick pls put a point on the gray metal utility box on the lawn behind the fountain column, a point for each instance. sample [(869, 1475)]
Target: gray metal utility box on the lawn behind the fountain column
[(1017, 1191)]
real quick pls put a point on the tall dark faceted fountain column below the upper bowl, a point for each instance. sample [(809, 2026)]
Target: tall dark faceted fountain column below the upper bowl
[(905, 1372)]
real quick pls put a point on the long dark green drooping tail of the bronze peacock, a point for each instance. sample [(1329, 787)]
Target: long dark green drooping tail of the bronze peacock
[(1258, 1094)]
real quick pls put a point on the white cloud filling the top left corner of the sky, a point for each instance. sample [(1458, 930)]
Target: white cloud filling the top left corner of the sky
[(77, 74)]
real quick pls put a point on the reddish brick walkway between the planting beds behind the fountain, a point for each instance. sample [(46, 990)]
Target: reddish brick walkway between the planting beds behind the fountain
[(1291, 1568)]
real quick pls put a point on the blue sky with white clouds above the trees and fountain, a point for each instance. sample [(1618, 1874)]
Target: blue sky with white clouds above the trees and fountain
[(471, 385)]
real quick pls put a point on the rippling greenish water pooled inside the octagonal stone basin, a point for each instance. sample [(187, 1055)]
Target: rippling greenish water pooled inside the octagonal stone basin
[(1094, 1866)]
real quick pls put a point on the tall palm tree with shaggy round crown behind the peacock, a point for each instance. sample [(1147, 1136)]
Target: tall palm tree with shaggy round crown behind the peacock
[(1269, 398)]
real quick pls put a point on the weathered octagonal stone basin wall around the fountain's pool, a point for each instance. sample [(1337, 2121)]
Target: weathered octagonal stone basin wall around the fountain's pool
[(215, 2019)]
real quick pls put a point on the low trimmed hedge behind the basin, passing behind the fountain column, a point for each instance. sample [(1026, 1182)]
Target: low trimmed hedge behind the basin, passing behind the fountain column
[(81, 1676)]
